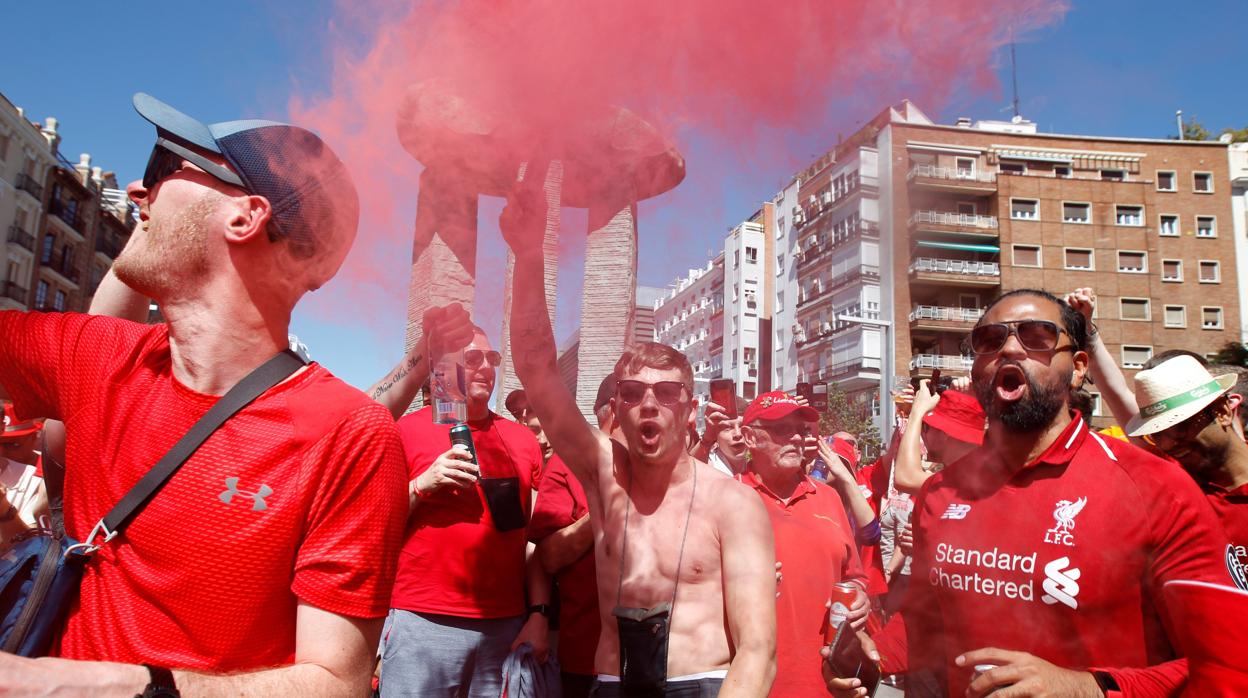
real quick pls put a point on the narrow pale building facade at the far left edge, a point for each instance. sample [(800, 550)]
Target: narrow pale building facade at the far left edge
[(26, 159)]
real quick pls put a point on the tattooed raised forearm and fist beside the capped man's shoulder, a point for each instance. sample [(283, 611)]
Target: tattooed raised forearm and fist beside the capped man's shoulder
[(444, 330)]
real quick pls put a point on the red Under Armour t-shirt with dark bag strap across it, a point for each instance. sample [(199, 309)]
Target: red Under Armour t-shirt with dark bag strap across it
[(298, 498)]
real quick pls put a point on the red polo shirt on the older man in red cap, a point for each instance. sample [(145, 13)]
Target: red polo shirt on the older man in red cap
[(816, 548)]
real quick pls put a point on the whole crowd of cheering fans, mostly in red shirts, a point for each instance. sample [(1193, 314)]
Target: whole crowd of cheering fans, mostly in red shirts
[(999, 544)]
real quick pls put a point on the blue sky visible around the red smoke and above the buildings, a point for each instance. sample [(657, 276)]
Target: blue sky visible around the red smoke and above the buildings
[(1110, 68)]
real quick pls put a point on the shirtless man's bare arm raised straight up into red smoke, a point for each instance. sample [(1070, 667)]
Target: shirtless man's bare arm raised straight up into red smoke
[(534, 350)]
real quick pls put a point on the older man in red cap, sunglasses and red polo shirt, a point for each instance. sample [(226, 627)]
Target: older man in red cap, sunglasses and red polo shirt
[(813, 538)]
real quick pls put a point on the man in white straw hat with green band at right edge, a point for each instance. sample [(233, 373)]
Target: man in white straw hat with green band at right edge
[(1191, 416)]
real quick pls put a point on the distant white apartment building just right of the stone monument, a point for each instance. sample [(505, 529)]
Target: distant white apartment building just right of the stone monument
[(690, 317)]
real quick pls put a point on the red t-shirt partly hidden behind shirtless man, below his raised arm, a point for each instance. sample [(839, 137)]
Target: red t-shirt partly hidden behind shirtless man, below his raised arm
[(561, 503)]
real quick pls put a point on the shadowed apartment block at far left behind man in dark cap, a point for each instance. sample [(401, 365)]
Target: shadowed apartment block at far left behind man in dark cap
[(68, 222)]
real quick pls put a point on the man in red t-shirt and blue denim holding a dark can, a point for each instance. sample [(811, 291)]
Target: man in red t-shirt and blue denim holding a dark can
[(460, 596)]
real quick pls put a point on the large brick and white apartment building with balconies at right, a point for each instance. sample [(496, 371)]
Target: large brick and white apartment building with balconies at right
[(922, 225)]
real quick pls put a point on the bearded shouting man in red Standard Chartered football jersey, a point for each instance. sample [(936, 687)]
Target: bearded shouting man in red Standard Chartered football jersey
[(1043, 554)]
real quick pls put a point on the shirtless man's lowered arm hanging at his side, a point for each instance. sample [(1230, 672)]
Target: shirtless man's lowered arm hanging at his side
[(749, 592)]
